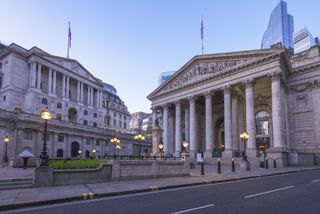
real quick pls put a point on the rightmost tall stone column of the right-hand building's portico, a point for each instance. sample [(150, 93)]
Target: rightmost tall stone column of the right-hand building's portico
[(277, 115)]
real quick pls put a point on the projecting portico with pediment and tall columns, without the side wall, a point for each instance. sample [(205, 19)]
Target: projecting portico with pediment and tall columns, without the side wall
[(217, 96)]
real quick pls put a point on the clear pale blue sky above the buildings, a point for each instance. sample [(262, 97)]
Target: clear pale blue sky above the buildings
[(128, 43)]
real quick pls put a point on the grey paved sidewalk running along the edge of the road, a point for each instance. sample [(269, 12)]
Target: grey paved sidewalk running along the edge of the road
[(11, 199)]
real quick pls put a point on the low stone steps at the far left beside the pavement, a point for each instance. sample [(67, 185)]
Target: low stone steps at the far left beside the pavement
[(15, 183)]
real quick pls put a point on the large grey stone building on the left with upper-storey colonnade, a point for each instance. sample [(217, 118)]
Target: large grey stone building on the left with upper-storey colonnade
[(30, 81)]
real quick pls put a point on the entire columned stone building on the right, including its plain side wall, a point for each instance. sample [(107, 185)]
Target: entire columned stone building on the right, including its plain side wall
[(272, 95)]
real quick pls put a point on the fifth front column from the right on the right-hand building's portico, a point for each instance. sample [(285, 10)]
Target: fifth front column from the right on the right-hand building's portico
[(193, 127)]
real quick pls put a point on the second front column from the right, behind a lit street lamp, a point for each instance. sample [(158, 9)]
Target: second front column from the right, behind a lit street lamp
[(250, 120)]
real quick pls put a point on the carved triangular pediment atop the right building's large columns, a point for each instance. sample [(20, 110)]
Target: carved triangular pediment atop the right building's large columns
[(202, 67)]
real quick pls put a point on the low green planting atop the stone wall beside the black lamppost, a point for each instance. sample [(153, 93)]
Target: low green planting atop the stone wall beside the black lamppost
[(75, 164)]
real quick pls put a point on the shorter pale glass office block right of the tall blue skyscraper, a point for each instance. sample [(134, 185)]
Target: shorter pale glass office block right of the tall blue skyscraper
[(303, 40)]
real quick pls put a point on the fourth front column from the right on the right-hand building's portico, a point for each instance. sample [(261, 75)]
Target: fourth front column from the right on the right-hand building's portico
[(209, 130)]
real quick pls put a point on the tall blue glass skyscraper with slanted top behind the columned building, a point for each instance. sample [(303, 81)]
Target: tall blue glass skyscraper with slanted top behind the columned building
[(280, 28)]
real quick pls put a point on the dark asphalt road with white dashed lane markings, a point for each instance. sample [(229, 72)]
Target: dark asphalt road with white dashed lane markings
[(289, 193)]
